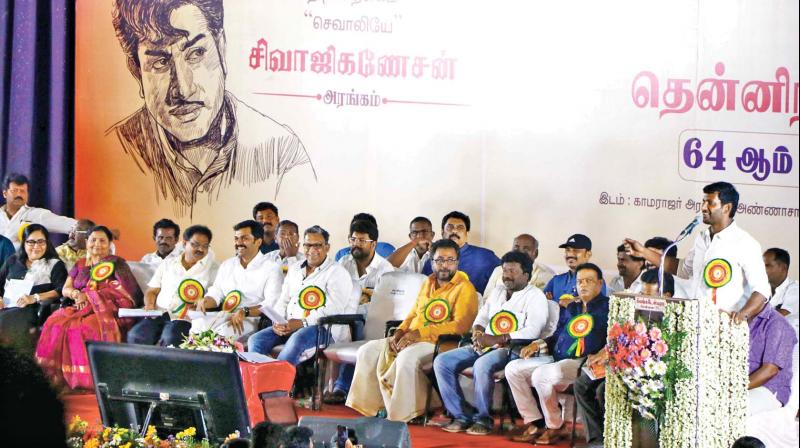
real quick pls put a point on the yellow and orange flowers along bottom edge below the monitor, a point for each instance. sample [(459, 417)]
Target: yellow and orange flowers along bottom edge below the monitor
[(80, 435)]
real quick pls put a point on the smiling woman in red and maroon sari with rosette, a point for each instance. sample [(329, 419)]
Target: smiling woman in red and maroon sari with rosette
[(99, 285)]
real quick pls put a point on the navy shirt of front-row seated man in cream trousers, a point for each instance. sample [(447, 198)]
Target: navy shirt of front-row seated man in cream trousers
[(561, 341)]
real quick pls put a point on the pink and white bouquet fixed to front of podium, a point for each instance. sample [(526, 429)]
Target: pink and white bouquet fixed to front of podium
[(641, 357)]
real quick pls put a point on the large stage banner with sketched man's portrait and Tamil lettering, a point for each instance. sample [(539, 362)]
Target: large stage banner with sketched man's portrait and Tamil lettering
[(604, 118)]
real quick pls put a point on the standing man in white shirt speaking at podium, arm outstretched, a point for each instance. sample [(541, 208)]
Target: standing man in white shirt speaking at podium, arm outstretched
[(725, 264)]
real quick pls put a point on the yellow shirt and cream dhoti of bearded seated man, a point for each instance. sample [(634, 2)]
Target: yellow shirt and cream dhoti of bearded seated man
[(396, 383)]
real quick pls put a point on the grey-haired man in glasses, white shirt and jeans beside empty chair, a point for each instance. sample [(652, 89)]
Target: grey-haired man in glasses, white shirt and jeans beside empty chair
[(314, 288)]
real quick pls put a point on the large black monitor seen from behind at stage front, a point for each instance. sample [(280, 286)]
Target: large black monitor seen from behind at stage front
[(170, 388)]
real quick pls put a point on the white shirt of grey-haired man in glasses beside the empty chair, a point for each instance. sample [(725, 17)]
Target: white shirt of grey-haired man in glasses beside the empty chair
[(331, 278)]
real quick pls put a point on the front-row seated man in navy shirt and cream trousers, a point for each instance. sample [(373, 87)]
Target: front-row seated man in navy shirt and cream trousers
[(550, 365)]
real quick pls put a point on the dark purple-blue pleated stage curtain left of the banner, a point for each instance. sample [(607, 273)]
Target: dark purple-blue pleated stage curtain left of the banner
[(36, 98)]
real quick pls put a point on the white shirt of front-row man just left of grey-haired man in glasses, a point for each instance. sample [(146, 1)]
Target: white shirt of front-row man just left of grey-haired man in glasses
[(260, 282)]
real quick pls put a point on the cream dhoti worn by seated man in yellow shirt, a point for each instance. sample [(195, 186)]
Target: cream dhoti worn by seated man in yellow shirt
[(395, 383)]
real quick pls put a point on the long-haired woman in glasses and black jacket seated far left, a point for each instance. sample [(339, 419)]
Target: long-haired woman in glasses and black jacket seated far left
[(37, 264)]
